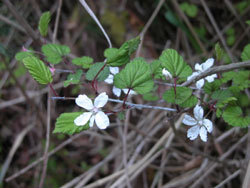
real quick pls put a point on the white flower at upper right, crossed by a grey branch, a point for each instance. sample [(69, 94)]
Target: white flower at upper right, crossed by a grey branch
[(201, 68)]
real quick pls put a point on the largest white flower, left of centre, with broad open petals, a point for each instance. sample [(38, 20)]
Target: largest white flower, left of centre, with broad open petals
[(94, 114)]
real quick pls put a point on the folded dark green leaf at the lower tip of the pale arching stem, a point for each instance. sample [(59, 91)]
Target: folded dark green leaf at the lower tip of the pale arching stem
[(117, 57)]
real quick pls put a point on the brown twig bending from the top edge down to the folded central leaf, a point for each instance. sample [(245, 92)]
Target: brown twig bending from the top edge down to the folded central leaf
[(151, 19)]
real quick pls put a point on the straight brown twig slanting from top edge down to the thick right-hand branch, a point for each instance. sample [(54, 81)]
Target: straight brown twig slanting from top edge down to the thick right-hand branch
[(212, 20)]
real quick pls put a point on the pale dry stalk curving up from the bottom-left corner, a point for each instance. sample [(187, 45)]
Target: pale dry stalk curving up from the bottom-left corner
[(13, 149)]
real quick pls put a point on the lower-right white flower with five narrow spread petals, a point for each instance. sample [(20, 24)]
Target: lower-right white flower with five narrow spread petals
[(200, 125)]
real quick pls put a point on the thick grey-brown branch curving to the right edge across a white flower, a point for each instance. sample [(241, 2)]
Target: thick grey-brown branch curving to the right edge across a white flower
[(218, 69)]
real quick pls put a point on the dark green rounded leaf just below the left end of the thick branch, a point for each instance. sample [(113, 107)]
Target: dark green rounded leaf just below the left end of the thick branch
[(182, 94)]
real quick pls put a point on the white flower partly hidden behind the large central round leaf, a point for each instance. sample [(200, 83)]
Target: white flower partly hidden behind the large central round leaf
[(110, 80)]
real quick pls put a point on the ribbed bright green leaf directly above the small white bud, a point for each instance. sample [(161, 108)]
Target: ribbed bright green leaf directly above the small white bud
[(175, 64)]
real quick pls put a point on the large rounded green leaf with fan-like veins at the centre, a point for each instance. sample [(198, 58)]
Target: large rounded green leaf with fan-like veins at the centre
[(136, 75)]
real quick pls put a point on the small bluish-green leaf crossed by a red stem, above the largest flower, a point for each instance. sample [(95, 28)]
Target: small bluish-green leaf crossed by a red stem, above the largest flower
[(94, 69)]
